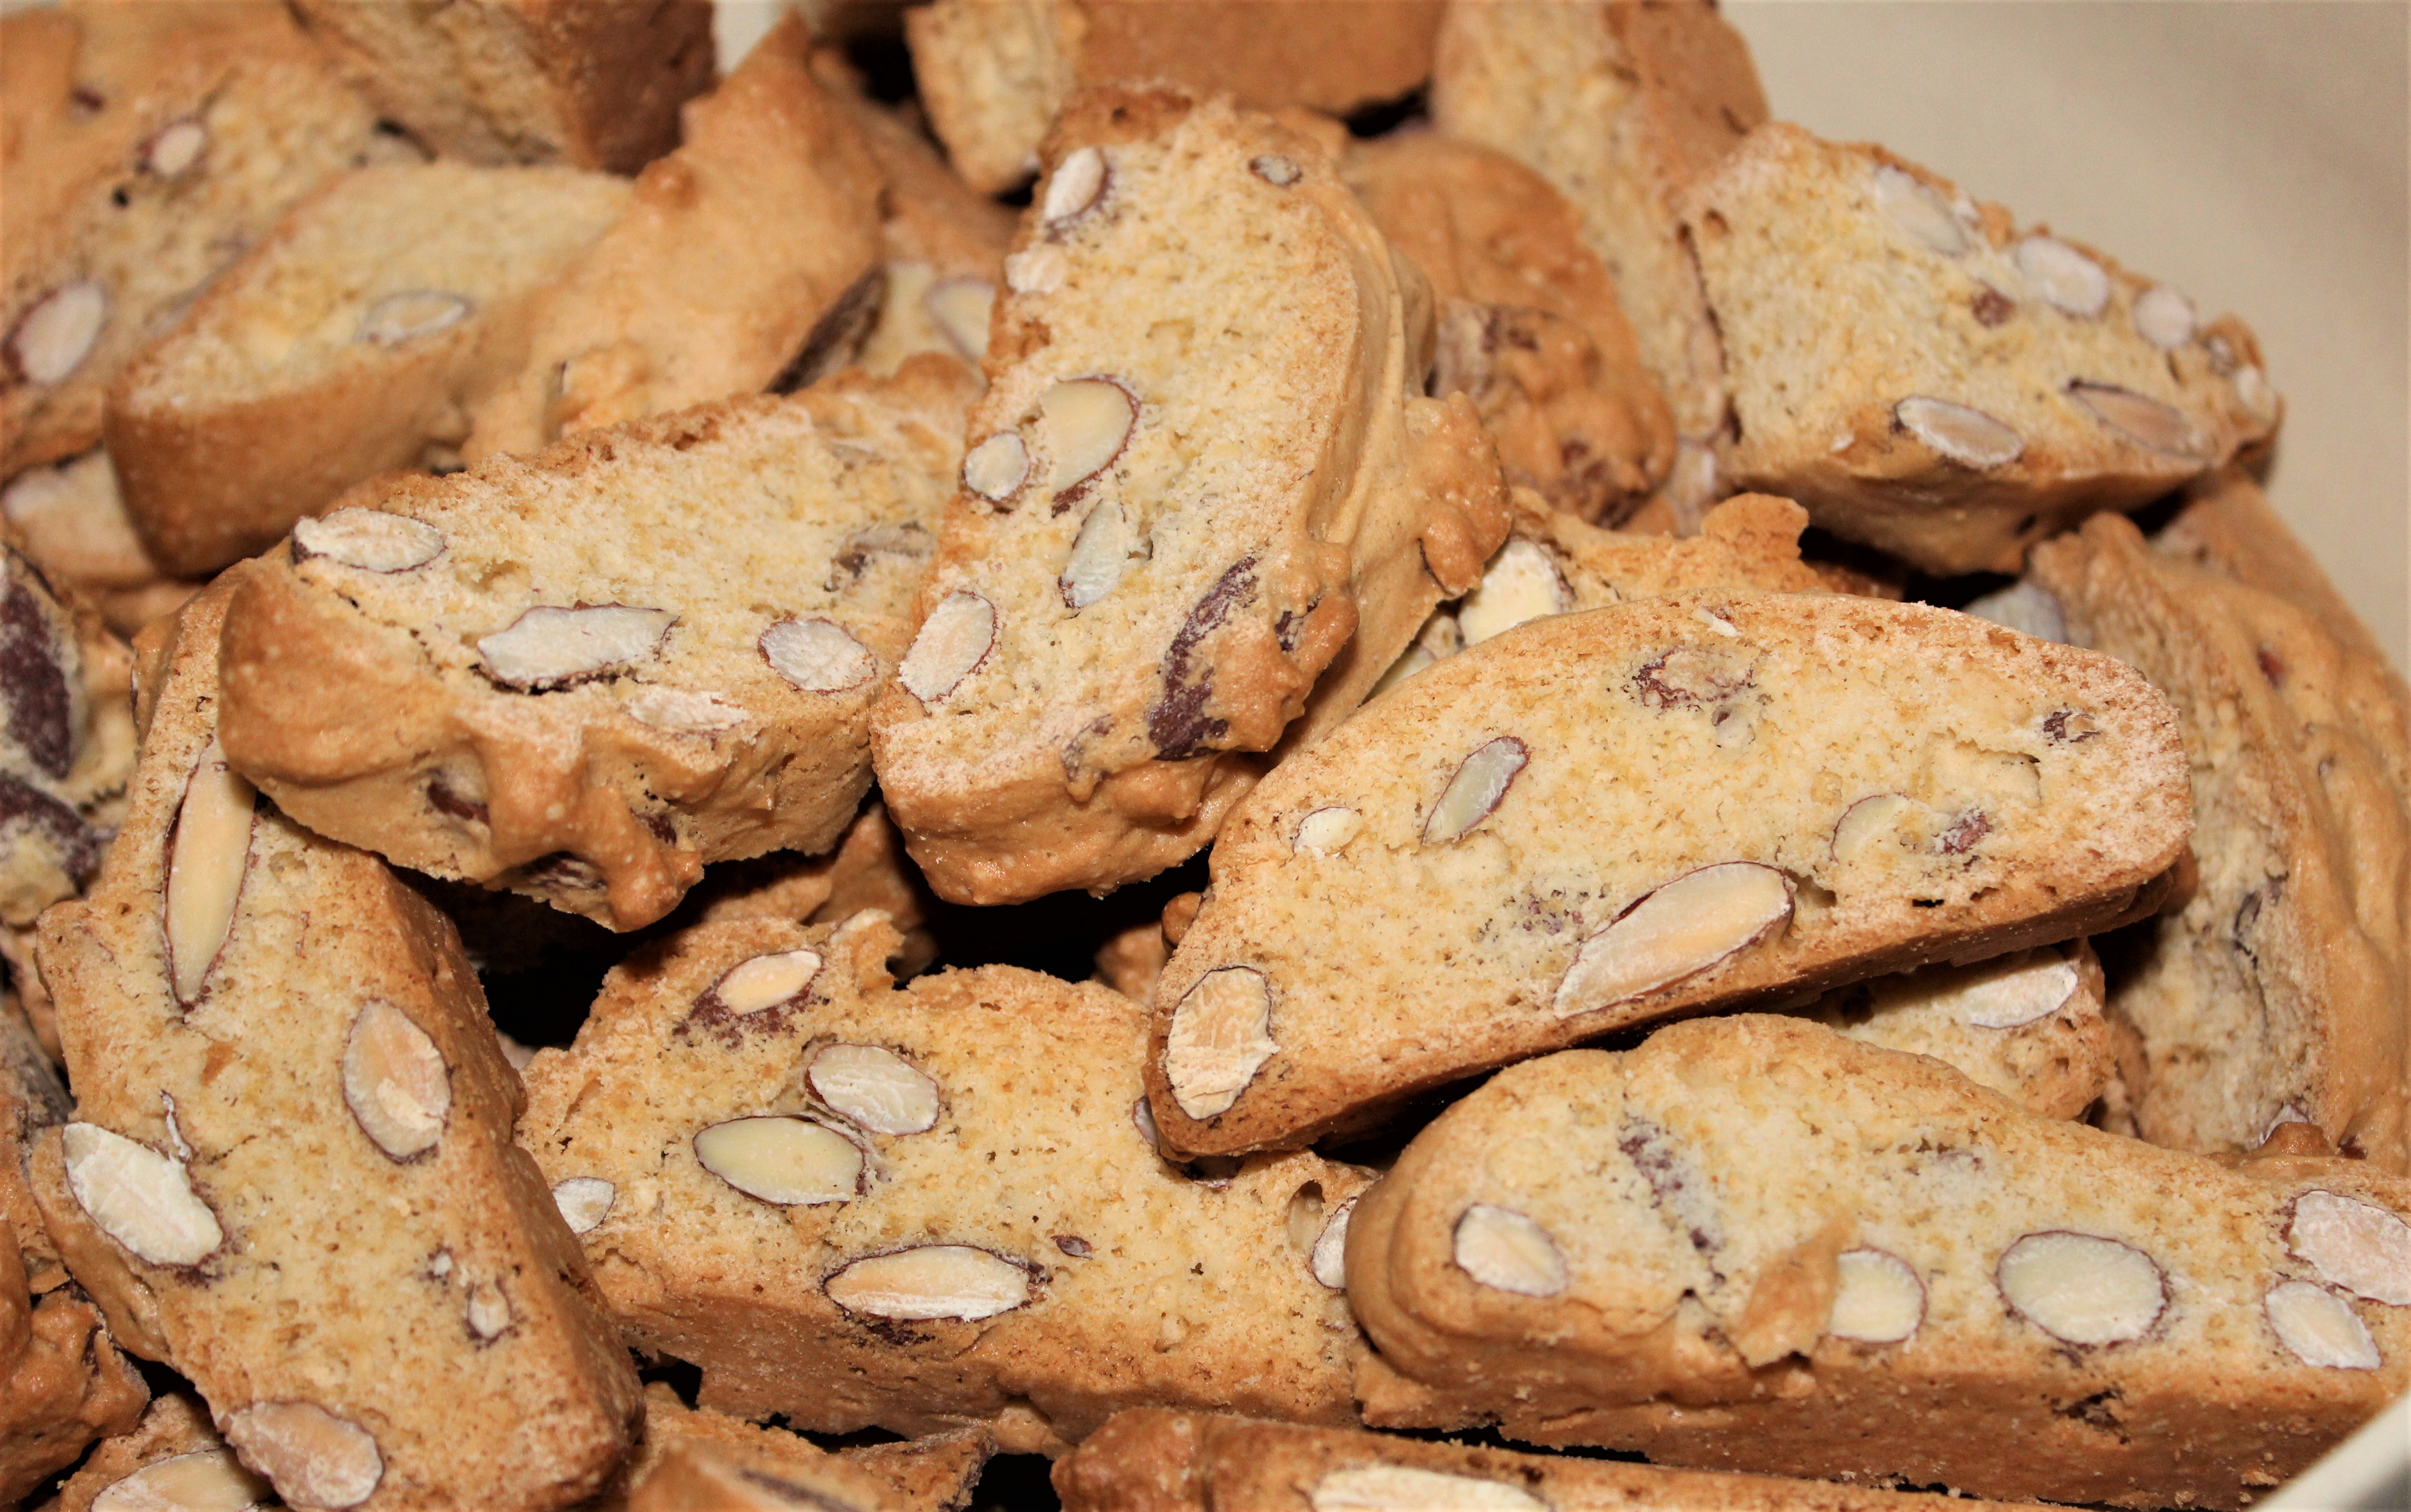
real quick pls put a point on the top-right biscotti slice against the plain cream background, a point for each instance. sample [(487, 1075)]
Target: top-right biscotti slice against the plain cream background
[(1930, 380)]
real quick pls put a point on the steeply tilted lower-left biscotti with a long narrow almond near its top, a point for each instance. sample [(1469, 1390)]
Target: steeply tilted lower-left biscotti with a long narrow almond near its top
[(291, 1171)]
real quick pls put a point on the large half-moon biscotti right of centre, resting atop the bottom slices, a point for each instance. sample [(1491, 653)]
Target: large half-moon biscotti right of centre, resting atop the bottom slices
[(1665, 807)]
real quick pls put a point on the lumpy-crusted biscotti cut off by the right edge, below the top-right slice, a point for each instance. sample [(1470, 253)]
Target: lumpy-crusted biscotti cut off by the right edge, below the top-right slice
[(2280, 992)]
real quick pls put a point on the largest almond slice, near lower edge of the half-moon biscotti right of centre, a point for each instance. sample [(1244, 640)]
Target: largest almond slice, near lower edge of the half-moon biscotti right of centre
[(1674, 934)]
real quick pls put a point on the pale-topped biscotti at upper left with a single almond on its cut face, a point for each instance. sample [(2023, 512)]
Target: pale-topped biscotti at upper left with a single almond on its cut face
[(351, 344)]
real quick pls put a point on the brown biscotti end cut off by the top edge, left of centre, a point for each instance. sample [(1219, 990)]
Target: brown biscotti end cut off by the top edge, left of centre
[(580, 83)]
